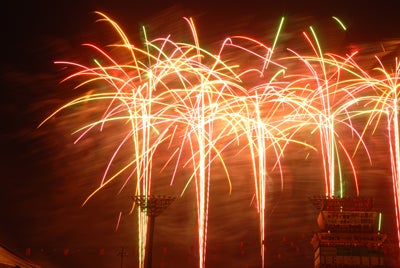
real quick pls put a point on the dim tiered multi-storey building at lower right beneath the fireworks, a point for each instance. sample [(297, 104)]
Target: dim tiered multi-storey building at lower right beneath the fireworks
[(349, 234)]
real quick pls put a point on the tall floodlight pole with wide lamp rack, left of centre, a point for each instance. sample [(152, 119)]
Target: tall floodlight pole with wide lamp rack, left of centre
[(152, 205)]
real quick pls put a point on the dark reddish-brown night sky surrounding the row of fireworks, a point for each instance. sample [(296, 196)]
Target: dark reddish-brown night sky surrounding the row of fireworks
[(45, 177)]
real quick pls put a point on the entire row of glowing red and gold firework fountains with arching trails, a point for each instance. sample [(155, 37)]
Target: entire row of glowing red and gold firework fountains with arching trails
[(183, 109)]
